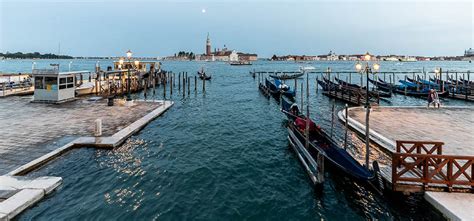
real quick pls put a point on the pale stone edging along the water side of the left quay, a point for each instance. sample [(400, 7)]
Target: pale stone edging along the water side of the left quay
[(18, 193)]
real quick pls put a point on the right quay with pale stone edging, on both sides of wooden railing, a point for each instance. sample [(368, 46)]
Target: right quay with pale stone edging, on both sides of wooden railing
[(451, 125)]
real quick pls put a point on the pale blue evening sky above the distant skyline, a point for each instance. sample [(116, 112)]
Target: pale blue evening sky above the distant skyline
[(160, 28)]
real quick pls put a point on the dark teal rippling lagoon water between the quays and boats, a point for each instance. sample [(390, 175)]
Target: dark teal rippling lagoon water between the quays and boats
[(222, 155)]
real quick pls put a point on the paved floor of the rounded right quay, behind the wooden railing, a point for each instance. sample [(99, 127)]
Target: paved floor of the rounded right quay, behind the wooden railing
[(452, 125)]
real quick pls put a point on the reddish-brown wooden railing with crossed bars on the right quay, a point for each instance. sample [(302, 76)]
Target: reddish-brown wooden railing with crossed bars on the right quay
[(418, 163)]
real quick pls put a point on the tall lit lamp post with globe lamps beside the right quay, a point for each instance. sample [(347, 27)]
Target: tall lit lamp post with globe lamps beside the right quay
[(366, 69)]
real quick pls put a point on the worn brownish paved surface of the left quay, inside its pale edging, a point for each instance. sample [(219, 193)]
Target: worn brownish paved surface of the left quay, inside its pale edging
[(30, 130)]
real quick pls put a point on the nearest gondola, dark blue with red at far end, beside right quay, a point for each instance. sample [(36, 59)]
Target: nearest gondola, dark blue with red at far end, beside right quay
[(321, 143)]
